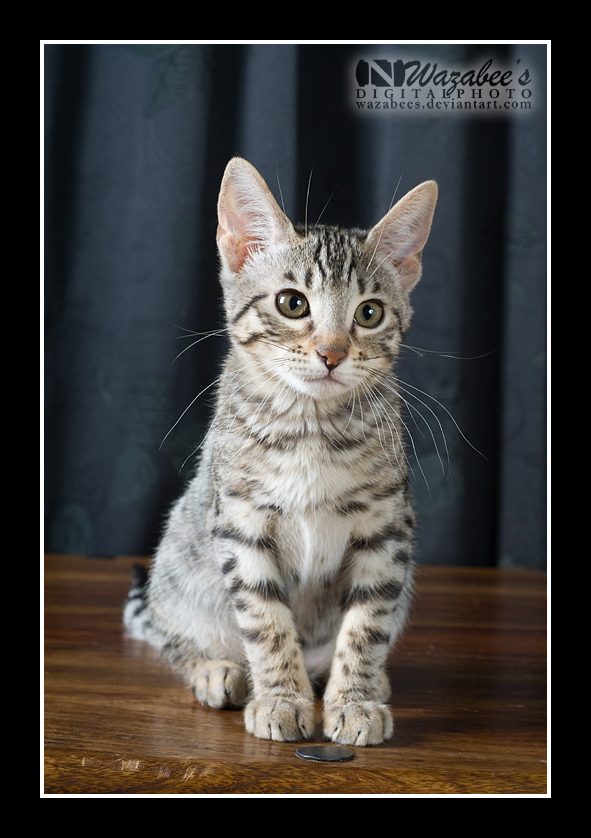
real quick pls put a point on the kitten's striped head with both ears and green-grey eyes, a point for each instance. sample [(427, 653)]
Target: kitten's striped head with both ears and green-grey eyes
[(320, 308)]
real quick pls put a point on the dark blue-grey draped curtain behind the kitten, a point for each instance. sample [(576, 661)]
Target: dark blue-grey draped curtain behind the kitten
[(136, 140)]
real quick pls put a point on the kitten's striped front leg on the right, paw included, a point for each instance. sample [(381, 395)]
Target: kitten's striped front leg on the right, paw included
[(355, 712)]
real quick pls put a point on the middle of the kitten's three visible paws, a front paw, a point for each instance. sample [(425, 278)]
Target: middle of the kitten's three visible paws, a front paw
[(281, 719)]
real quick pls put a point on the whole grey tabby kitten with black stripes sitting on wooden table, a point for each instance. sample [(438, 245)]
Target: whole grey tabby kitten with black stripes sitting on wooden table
[(287, 561)]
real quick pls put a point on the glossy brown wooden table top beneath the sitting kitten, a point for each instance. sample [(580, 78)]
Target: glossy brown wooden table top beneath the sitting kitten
[(469, 699)]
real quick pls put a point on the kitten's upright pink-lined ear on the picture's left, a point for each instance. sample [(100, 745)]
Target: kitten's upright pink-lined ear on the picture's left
[(249, 218)]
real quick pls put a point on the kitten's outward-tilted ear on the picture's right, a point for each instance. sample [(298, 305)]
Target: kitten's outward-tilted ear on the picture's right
[(398, 239)]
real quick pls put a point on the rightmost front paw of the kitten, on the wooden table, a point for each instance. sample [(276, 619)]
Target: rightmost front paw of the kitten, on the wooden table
[(358, 723)]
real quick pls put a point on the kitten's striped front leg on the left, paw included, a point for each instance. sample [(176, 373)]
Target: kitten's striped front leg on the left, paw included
[(282, 705)]
